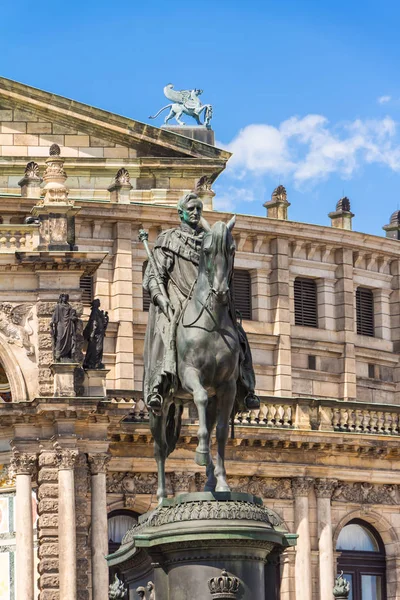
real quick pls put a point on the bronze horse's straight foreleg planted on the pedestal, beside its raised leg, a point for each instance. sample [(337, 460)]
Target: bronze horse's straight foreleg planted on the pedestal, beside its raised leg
[(225, 400)]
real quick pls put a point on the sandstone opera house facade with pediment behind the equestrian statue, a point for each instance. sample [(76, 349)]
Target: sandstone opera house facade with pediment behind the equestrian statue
[(323, 322)]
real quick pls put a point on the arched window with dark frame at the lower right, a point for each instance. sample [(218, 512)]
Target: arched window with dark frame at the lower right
[(362, 559)]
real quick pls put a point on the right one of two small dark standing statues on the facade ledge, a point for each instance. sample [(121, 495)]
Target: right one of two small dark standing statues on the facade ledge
[(94, 334)]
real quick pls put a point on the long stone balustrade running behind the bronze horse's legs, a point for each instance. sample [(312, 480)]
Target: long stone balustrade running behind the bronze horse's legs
[(289, 422)]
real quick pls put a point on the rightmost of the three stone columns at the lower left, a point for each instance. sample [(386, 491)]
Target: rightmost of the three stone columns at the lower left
[(98, 467)]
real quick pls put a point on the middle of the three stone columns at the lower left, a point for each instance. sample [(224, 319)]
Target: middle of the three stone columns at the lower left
[(66, 522)]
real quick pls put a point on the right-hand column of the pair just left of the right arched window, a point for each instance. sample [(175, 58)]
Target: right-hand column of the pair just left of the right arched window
[(323, 490)]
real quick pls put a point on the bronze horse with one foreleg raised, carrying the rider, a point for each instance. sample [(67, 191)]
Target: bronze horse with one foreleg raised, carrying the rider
[(207, 347)]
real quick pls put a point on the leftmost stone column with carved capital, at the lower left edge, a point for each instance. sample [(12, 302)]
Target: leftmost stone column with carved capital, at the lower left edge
[(24, 466)]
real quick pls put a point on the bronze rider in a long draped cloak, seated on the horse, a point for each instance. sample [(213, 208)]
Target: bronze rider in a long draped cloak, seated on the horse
[(176, 257)]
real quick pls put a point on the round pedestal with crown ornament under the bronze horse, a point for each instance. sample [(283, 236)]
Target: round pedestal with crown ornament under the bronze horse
[(190, 539)]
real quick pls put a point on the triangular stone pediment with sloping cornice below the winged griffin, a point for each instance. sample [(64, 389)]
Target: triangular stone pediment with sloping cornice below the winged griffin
[(31, 120)]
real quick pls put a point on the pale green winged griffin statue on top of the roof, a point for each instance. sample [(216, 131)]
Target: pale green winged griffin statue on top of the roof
[(185, 102)]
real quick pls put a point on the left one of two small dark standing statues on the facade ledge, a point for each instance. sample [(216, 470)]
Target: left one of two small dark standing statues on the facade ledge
[(63, 330)]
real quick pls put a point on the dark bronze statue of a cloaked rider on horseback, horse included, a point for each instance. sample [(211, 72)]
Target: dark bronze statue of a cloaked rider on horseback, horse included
[(195, 346)]
